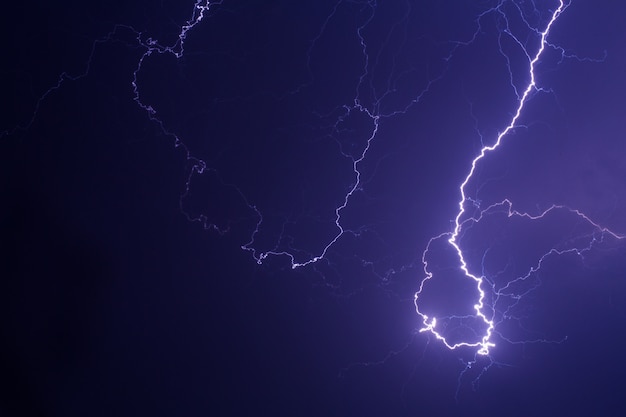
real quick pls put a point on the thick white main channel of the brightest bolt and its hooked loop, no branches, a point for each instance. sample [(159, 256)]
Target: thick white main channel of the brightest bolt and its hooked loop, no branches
[(430, 323)]
